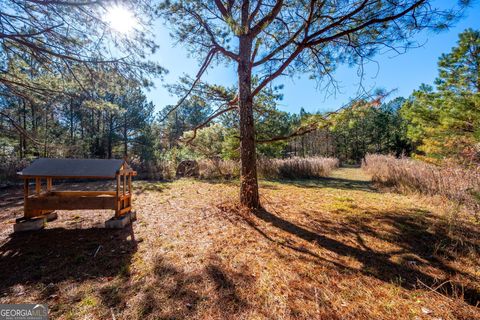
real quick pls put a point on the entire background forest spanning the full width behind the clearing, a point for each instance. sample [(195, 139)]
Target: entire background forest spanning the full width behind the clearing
[(109, 116)]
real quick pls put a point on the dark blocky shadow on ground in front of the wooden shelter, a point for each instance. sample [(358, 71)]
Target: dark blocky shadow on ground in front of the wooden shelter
[(51, 256)]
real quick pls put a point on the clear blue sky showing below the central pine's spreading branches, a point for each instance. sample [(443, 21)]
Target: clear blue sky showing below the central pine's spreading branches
[(401, 72)]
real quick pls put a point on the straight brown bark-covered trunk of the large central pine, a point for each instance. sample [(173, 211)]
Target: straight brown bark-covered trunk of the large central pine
[(249, 185)]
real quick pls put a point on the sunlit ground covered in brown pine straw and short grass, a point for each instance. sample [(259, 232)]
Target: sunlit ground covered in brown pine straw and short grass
[(334, 248)]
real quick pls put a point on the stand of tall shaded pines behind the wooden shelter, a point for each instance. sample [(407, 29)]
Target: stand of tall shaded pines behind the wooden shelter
[(99, 121)]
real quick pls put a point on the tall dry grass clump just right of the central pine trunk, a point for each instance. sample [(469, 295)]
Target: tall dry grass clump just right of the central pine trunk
[(296, 168)]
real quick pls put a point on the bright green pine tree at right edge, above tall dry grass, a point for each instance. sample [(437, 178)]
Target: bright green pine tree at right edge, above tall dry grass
[(445, 121)]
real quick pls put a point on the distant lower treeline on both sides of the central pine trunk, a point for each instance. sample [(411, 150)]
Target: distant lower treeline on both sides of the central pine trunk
[(347, 135)]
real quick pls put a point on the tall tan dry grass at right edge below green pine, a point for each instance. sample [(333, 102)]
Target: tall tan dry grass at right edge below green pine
[(452, 181)]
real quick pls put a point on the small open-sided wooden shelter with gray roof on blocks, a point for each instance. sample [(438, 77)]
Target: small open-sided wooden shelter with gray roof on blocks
[(45, 199)]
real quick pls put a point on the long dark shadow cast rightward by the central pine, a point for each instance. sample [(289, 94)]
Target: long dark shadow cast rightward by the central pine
[(378, 264)]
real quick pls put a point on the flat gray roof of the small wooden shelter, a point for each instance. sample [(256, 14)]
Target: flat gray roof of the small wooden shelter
[(73, 168)]
